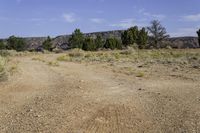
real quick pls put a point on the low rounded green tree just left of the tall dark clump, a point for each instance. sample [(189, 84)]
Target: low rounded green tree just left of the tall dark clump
[(113, 43)]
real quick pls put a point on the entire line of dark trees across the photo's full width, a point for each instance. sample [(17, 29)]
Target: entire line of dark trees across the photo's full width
[(152, 35)]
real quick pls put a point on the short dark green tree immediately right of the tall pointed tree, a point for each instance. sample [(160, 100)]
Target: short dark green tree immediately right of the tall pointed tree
[(89, 44)]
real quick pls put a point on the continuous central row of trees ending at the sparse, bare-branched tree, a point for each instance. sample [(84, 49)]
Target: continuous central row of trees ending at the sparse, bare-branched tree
[(131, 37)]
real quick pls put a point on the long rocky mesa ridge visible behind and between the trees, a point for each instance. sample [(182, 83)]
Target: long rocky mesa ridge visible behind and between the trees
[(62, 40)]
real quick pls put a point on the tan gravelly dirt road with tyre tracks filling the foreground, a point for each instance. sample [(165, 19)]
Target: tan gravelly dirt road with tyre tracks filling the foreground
[(78, 98)]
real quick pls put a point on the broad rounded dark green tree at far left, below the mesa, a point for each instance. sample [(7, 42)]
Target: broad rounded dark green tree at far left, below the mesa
[(16, 43)]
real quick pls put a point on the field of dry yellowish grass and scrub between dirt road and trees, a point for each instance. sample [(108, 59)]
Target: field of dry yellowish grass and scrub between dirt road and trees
[(136, 62)]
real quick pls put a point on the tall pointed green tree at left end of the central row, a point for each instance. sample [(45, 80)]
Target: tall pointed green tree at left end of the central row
[(77, 39)]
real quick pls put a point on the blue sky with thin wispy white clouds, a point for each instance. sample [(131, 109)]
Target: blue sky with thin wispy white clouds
[(55, 17)]
